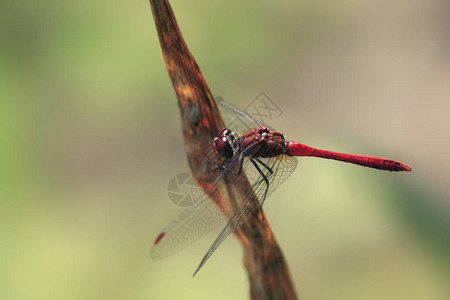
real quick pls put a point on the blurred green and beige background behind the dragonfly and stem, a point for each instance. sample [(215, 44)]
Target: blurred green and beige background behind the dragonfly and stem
[(90, 137)]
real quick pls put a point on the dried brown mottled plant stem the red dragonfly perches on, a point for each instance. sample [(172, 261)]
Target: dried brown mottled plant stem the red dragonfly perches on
[(267, 270)]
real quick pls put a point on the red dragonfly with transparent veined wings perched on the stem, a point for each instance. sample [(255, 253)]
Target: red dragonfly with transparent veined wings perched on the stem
[(251, 150)]
